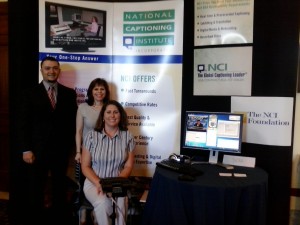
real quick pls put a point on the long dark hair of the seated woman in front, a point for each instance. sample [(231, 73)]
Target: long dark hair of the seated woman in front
[(123, 121)]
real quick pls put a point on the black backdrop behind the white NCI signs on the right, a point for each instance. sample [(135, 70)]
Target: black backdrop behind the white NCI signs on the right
[(274, 73)]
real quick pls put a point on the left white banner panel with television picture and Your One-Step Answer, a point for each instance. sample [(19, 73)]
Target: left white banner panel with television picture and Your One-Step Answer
[(63, 35)]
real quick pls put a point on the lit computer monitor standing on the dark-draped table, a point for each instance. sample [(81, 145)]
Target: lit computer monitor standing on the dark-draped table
[(212, 131)]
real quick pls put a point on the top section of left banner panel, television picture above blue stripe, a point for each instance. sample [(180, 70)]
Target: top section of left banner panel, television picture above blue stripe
[(68, 27)]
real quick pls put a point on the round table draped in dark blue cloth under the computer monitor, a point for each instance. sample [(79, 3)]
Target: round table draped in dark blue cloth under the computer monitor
[(209, 200)]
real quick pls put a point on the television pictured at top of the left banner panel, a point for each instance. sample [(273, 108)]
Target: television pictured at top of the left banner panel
[(74, 28)]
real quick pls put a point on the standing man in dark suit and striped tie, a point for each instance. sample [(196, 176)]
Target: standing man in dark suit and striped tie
[(47, 136)]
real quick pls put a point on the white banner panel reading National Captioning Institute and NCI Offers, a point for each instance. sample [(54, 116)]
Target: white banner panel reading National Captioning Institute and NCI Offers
[(148, 76)]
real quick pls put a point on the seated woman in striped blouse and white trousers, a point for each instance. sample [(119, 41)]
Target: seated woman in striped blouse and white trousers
[(107, 151)]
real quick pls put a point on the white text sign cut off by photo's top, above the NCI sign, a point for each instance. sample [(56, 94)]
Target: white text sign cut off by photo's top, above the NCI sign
[(223, 22)]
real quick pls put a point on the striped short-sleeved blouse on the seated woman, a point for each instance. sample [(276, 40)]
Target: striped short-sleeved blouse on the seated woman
[(108, 154)]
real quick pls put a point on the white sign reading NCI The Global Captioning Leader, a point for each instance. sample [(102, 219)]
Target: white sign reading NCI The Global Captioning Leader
[(223, 71)]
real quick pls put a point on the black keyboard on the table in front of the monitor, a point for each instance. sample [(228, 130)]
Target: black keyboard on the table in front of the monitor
[(182, 168)]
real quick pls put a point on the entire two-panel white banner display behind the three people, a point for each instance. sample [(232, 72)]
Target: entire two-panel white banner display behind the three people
[(138, 50)]
